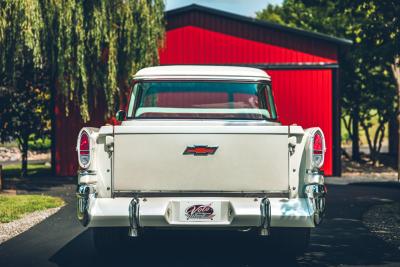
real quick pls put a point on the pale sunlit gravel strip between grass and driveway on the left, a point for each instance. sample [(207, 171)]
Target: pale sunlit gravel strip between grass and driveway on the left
[(14, 228)]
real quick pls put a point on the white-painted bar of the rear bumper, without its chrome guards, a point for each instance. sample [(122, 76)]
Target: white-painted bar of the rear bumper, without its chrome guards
[(158, 212)]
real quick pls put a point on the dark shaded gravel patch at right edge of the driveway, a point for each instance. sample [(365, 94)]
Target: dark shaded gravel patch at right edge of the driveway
[(384, 221)]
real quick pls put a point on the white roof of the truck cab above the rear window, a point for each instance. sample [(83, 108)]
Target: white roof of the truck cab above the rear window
[(202, 72)]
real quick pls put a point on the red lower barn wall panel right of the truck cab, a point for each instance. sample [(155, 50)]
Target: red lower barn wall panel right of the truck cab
[(304, 97)]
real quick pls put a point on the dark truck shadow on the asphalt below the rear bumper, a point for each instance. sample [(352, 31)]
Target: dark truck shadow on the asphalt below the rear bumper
[(179, 249)]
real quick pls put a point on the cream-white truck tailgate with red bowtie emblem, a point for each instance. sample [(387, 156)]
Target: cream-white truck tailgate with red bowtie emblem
[(247, 158)]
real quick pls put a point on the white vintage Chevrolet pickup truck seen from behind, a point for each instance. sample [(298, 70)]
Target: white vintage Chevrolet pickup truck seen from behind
[(201, 147)]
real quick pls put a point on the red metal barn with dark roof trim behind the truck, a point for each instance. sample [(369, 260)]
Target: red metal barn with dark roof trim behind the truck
[(303, 66)]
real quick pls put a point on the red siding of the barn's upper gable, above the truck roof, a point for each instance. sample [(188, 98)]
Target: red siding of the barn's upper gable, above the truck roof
[(194, 45)]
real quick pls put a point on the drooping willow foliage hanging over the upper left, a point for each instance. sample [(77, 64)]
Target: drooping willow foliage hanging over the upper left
[(85, 49)]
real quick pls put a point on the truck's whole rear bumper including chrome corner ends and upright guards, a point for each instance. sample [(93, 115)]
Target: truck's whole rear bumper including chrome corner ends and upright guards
[(238, 212)]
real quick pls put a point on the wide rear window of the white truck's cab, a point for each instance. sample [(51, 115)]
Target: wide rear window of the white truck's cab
[(202, 100)]
